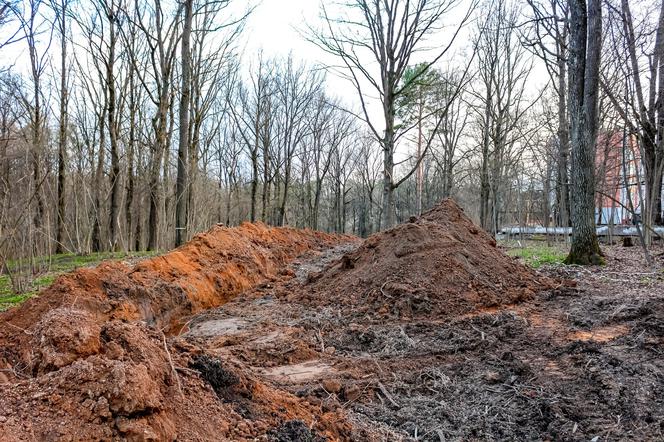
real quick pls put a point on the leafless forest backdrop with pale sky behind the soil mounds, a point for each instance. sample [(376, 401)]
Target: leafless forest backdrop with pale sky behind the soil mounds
[(131, 125)]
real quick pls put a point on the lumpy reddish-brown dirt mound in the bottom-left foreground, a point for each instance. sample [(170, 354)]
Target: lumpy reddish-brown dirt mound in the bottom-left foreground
[(139, 388)]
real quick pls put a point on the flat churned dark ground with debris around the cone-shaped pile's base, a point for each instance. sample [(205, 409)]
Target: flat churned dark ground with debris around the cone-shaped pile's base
[(576, 363)]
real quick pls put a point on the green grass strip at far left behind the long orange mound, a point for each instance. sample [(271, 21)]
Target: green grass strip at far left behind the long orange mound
[(55, 265)]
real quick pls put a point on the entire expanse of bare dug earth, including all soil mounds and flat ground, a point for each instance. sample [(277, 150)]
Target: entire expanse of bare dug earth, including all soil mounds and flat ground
[(427, 332)]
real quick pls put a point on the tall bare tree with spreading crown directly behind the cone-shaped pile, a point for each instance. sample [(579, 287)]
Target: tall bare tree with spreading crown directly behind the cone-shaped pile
[(390, 33)]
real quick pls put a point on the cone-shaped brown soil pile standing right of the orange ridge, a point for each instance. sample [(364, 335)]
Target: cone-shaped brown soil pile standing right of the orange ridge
[(438, 264)]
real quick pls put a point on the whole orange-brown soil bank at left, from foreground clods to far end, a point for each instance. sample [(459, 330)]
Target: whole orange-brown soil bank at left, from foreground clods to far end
[(89, 359)]
